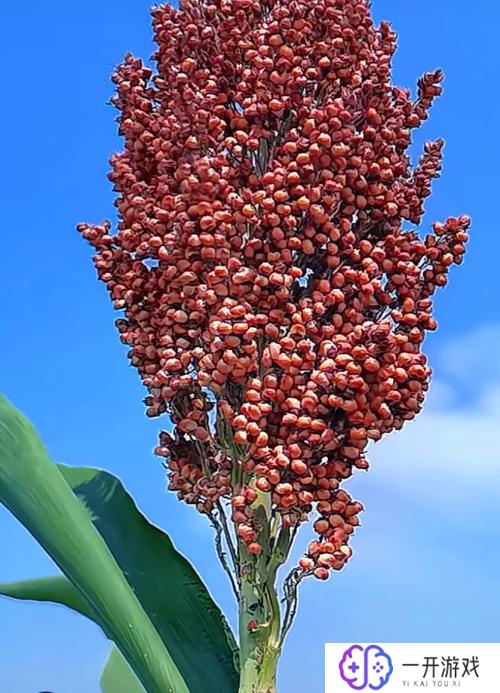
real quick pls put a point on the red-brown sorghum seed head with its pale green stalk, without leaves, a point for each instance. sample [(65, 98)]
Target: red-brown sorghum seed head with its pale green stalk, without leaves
[(274, 287)]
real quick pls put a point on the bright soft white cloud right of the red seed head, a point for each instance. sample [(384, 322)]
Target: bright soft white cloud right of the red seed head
[(451, 451)]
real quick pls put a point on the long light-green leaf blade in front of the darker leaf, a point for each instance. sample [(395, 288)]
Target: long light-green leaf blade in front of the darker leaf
[(36, 492)]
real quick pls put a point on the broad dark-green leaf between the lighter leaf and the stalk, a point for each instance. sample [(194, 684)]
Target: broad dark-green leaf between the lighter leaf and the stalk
[(178, 603)]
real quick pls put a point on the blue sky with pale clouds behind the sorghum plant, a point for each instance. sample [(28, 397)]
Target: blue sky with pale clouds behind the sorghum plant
[(426, 566)]
